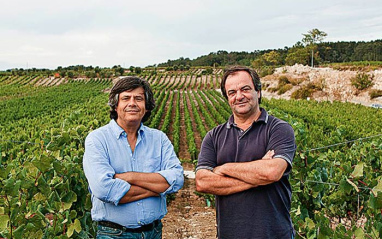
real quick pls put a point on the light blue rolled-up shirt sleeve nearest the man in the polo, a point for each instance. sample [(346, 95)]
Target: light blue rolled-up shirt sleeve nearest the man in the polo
[(171, 168)]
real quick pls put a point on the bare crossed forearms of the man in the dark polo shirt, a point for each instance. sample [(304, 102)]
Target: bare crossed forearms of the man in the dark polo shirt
[(231, 178)]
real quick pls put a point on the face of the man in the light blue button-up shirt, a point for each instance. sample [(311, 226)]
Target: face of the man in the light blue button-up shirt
[(131, 106)]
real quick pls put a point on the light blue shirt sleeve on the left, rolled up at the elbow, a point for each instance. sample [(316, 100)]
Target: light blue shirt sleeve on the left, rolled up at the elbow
[(100, 174)]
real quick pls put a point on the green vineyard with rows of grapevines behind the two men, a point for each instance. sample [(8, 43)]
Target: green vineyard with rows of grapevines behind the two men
[(336, 178)]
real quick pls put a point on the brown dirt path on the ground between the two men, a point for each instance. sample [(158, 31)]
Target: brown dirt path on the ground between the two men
[(188, 217)]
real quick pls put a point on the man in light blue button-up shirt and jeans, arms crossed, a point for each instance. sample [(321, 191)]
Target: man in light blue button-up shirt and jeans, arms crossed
[(130, 167)]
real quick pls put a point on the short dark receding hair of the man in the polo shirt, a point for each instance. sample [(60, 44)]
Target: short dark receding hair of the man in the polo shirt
[(232, 70)]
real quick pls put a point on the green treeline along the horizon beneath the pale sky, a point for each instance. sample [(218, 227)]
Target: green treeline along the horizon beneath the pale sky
[(314, 54)]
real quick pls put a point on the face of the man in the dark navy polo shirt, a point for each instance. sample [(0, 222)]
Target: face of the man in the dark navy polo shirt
[(242, 96)]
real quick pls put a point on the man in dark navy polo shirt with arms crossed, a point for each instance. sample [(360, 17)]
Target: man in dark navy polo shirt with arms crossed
[(246, 163)]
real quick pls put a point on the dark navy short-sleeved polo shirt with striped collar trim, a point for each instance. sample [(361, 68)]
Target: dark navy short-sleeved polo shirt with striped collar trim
[(261, 212)]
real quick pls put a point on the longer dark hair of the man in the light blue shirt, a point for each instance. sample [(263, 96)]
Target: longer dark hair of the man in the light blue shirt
[(126, 84)]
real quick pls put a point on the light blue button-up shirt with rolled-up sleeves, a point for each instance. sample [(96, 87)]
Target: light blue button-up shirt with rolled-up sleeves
[(107, 152)]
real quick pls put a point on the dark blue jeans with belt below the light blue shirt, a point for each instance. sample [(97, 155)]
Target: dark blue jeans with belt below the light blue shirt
[(111, 233)]
